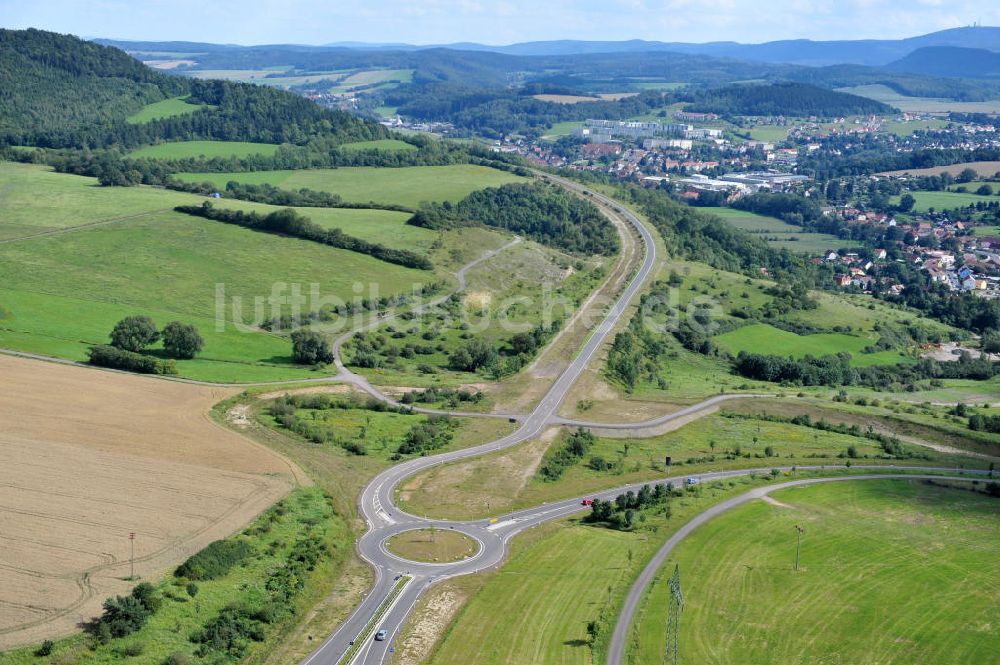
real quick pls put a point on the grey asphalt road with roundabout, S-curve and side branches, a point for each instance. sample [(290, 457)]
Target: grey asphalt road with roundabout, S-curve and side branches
[(385, 519)]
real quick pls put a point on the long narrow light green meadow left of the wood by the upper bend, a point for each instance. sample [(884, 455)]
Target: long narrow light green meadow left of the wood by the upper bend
[(407, 186)]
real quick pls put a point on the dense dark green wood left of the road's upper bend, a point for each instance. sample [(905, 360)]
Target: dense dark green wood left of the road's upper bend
[(544, 213)]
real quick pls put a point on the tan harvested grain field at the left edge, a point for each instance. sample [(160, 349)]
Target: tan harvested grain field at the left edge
[(89, 456)]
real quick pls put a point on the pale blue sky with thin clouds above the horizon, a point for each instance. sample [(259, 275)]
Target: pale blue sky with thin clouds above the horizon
[(493, 21)]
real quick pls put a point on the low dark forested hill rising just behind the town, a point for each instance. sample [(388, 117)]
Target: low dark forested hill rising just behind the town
[(790, 99)]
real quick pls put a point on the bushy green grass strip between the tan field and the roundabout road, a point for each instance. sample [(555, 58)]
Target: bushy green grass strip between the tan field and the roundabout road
[(302, 520)]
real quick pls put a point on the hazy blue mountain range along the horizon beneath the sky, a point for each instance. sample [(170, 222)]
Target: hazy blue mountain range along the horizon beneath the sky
[(873, 52)]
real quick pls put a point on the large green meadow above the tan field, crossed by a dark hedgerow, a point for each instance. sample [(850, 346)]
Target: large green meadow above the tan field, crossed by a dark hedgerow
[(106, 253)]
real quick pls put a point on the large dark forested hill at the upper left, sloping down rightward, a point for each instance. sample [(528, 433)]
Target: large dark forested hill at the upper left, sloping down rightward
[(61, 91)]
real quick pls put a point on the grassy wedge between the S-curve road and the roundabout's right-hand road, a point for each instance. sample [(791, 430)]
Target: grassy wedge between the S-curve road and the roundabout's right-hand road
[(462, 490)]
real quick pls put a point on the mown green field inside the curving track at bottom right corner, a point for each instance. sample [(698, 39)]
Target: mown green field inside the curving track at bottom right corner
[(930, 553)]
